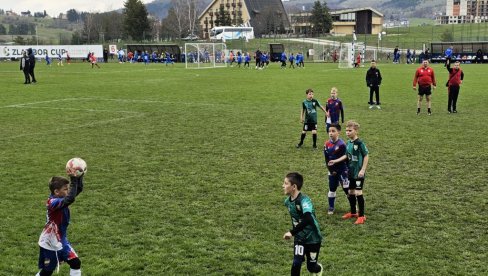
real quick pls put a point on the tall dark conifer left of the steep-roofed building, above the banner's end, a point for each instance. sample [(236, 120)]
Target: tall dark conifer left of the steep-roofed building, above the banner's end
[(136, 22)]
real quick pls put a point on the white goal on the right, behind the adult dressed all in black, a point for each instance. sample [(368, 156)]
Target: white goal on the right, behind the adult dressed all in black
[(349, 52)]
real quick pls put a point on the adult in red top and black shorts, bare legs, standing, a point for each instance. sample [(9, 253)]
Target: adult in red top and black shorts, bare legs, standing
[(424, 77)]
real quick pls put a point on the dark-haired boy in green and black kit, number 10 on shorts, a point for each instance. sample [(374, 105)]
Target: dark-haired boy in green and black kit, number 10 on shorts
[(305, 227)]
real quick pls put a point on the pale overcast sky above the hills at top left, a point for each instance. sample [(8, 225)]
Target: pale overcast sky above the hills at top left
[(55, 7)]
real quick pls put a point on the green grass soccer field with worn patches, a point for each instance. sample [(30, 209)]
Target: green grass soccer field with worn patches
[(185, 169)]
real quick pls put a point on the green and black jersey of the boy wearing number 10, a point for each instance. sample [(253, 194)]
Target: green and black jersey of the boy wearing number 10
[(298, 208)]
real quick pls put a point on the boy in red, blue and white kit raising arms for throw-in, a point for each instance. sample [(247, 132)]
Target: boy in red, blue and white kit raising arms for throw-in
[(54, 245)]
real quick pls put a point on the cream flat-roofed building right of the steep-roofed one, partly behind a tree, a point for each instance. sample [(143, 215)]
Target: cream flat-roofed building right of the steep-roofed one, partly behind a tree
[(360, 21)]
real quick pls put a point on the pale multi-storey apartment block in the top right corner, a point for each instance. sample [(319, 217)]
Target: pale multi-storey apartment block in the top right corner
[(464, 11)]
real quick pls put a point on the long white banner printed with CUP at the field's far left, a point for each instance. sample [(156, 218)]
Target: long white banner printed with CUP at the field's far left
[(40, 51)]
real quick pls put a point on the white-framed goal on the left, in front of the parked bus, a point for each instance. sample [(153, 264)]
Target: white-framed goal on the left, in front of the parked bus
[(205, 55)]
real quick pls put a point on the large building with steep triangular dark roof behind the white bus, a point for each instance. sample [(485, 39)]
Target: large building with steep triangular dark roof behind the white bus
[(265, 16)]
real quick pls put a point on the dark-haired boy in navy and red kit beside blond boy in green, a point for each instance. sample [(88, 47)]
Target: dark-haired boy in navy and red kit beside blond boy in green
[(336, 161)]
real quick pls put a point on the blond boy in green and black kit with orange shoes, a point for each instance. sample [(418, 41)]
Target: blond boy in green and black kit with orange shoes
[(357, 154)]
